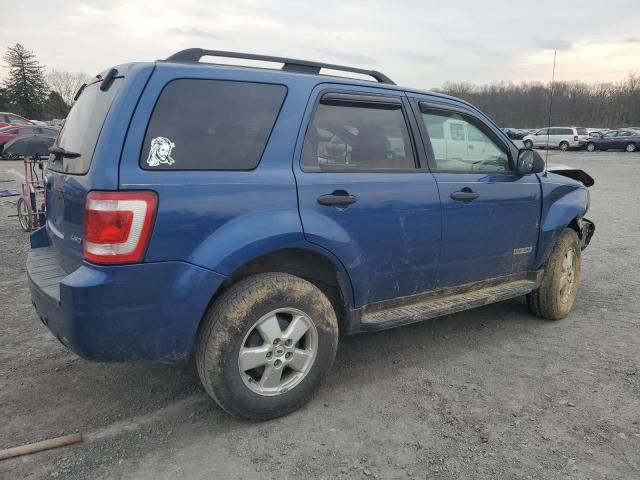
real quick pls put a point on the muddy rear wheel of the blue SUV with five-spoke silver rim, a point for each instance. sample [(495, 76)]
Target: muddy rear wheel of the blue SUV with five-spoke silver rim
[(266, 345)]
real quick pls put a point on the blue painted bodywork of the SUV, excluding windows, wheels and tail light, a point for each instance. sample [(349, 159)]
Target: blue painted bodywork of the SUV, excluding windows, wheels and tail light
[(403, 236)]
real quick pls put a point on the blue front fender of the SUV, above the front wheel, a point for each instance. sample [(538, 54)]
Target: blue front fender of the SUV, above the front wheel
[(563, 201)]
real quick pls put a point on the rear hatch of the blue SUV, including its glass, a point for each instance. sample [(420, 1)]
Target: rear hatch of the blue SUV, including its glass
[(70, 177)]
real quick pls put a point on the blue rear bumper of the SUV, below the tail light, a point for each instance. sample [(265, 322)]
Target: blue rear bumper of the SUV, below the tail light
[(148, 311)]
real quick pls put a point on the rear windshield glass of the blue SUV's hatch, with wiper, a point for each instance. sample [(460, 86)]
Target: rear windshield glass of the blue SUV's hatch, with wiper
[(82, 128)]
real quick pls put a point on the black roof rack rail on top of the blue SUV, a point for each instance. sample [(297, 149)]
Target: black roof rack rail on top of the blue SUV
[(193, 55)]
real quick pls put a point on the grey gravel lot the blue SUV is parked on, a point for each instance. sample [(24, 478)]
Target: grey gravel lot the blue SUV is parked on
[(490, 393)]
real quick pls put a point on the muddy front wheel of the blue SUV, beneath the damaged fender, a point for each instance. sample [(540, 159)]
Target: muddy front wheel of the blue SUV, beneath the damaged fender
[(554, 298)]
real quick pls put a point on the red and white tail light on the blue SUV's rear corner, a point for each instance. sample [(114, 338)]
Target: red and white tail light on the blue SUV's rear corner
[(117, 226)]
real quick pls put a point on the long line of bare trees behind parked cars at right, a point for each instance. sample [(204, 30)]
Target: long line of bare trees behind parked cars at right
[(526, 105)]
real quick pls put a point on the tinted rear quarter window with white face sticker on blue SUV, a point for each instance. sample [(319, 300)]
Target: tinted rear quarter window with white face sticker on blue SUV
[(211, 125)]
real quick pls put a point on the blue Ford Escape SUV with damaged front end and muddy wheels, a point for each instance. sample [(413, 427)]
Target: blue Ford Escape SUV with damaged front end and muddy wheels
[(247, 217)]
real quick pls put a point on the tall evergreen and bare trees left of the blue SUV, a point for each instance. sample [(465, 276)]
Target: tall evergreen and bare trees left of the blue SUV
[(31, 91)]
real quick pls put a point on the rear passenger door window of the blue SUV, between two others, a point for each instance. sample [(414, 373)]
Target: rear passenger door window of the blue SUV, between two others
[(357, 138)]
